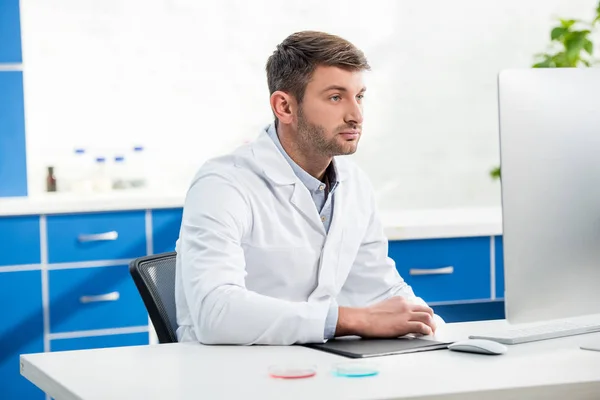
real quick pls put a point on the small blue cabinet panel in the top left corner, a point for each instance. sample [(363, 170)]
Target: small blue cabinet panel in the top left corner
[(10, 32)]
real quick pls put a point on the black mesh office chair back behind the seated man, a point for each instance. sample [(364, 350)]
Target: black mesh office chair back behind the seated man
[(154, 277)]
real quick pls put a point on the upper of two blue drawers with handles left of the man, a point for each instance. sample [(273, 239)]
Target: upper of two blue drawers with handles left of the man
[(102, 236)]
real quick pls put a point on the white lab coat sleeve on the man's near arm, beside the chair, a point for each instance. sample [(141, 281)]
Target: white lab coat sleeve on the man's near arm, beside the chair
[(216, 216)]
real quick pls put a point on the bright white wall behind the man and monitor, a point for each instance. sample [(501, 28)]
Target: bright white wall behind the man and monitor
[(186, 79)]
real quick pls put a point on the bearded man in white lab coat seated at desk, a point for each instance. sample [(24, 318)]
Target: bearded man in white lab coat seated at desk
[(280, 241)]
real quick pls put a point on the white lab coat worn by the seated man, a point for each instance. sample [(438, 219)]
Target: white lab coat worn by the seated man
[(254, 263)]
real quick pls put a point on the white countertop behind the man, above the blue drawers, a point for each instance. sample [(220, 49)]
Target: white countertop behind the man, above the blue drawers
[(405, 224)]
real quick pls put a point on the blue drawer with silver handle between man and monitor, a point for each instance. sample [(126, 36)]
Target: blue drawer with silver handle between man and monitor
[(445, 269)]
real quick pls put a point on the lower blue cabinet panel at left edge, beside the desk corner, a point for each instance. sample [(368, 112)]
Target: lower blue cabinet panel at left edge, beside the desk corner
[(21, 330)]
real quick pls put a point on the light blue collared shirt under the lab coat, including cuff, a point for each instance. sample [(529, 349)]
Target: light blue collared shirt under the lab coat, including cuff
[(323, 199)]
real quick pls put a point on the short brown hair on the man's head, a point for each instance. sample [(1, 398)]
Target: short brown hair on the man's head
[(292, 64)]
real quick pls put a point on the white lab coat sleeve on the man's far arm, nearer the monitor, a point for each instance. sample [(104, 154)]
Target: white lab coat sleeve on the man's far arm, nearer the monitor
[(373, 276)]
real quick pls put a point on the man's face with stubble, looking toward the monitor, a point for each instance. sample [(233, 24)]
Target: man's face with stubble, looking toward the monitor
[(331, 113)]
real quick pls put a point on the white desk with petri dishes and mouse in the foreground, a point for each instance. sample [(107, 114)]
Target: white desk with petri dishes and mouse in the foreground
[(547, 369)]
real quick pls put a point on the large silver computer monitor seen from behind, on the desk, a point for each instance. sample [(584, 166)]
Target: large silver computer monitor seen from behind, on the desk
[(550, 163)]
